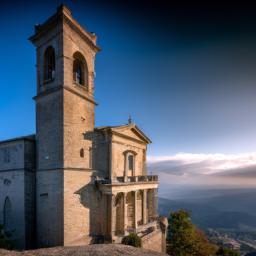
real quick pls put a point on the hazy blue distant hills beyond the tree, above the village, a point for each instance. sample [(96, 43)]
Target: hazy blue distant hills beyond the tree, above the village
[(231, 209)]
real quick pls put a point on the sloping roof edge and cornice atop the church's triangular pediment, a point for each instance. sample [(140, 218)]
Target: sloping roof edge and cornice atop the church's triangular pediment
[(131, 126)]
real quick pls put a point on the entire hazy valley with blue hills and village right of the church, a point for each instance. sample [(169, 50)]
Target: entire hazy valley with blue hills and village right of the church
[(227, 216)]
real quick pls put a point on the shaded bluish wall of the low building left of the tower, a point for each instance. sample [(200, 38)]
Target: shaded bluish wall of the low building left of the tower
[(17, 166)]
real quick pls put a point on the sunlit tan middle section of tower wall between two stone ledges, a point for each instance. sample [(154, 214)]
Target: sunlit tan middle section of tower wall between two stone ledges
[(78, 119)]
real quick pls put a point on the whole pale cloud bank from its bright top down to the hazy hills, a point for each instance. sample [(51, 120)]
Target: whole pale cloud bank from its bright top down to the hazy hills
[(186, 172)]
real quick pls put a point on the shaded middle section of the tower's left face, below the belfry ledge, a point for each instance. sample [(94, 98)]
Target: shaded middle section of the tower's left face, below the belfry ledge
[(49, 123)]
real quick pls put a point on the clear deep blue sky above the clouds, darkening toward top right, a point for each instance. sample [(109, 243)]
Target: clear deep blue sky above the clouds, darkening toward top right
[(185, 72)]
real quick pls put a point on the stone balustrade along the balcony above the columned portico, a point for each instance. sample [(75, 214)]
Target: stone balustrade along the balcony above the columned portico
[(129, 179)]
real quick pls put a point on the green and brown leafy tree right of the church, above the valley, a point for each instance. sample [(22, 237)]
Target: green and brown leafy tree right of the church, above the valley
[(184, 239)]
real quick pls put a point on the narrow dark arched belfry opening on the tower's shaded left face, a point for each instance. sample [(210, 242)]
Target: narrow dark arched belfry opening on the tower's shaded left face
[(49, 64)]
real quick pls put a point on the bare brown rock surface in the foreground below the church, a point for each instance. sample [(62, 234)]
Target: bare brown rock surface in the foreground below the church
[(90, 250)]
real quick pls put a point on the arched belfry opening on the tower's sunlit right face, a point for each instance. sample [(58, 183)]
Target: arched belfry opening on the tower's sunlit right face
[(80, 70)]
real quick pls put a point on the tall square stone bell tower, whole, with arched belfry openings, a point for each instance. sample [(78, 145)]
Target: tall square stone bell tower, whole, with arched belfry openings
[(64, 114)]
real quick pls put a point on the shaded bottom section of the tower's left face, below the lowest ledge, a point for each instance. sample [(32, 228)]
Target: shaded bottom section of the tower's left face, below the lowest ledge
[(49, 198)]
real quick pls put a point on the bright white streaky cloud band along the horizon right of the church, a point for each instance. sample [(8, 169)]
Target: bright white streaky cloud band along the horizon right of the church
[(183, 164)]
